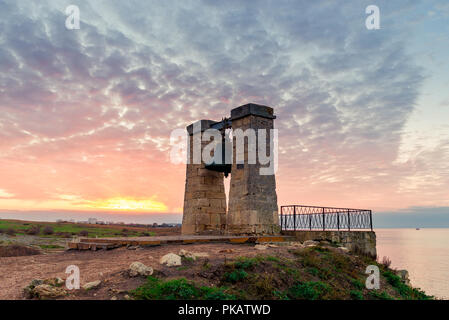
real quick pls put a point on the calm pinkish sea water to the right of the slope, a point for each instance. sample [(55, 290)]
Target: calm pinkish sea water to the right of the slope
[(424, 253)]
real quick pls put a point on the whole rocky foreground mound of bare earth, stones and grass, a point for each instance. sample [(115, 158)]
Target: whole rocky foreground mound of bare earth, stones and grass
[(212, 271)]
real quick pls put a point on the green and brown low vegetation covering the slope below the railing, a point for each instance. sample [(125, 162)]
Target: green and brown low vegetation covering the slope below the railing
[(309, 274)]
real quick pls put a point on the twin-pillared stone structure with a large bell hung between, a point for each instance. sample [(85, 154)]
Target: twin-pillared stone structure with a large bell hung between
[(253, 208)]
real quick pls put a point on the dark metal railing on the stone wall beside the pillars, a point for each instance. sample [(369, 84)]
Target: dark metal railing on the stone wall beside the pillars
[(300, 217)]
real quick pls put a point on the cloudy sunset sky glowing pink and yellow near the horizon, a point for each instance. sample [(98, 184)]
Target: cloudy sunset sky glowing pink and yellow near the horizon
[(86, 115)]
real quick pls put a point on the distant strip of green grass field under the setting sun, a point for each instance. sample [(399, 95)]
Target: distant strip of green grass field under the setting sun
[(49, 229)]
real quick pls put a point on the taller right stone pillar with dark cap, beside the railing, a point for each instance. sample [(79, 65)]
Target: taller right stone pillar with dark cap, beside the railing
[(253, 205)]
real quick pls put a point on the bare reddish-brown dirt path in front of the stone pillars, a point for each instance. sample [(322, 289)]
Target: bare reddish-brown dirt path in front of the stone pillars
[(17, 272)]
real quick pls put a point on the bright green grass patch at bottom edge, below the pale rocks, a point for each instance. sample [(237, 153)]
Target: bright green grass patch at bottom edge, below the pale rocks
[(178, 289)]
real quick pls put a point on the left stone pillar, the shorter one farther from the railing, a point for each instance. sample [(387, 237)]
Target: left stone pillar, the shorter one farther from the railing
[(204, 198)]
